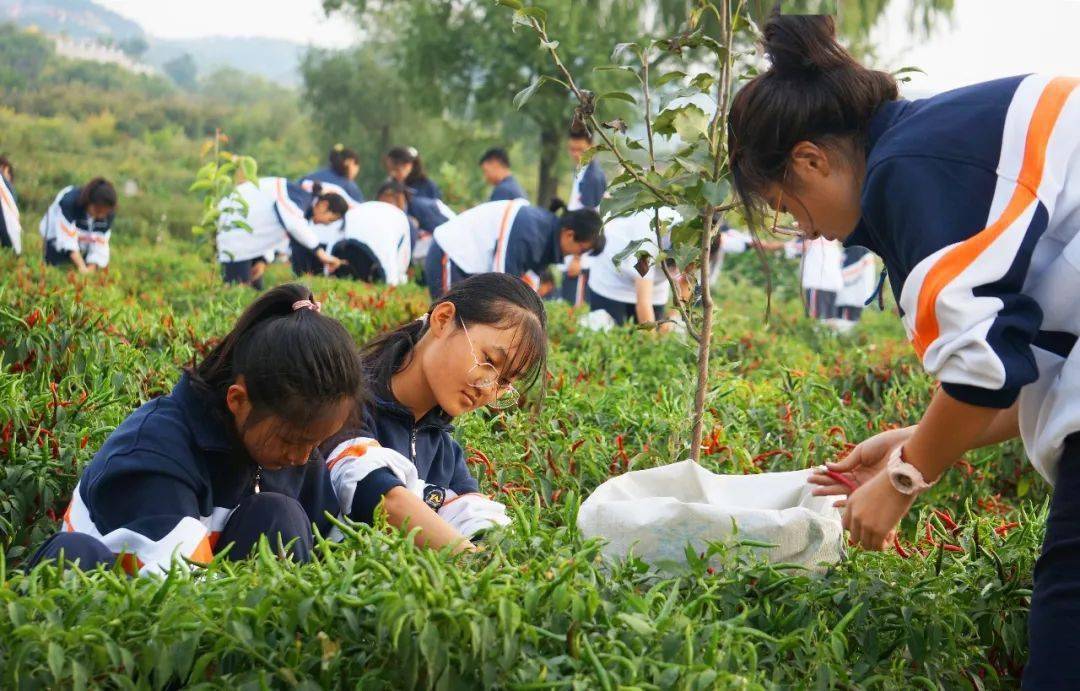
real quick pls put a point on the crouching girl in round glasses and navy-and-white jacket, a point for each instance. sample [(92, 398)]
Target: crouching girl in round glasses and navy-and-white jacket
[(468, 351)]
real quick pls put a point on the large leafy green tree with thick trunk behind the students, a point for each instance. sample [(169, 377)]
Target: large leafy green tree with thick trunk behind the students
[(462, 59)]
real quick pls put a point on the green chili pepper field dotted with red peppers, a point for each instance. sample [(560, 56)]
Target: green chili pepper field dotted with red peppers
[(537, 608)]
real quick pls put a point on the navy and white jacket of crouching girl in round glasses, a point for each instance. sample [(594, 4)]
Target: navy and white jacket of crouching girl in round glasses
[(389, 449)]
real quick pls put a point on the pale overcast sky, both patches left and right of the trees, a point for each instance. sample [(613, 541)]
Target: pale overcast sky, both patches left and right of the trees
[(985, 39)]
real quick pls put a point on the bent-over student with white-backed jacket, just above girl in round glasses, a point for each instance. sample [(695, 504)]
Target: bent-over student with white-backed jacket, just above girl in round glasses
[(509, 237)]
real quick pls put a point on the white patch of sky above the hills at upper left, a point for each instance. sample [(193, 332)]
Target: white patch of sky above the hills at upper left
[(301, 21)]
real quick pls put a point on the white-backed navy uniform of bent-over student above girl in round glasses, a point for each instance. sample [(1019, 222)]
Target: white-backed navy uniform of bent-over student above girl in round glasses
[(508, 237)]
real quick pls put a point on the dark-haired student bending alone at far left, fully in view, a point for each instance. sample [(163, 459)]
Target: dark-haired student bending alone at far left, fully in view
[(78, 226)]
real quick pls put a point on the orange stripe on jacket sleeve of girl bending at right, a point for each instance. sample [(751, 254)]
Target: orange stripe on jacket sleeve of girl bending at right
[(1047, 112)]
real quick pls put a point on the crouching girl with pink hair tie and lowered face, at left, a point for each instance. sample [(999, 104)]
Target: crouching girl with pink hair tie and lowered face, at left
[(231, 456)]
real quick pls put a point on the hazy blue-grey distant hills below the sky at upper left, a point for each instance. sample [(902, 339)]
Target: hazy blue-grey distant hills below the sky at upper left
[(274, 60)]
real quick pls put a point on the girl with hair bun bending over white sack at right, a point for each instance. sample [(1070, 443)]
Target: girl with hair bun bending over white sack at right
[(971, 198)]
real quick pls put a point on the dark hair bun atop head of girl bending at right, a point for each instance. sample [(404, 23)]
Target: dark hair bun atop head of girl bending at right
[(804, 45)]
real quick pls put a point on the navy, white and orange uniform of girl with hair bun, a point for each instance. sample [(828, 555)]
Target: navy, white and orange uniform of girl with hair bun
[(973, 199)]
